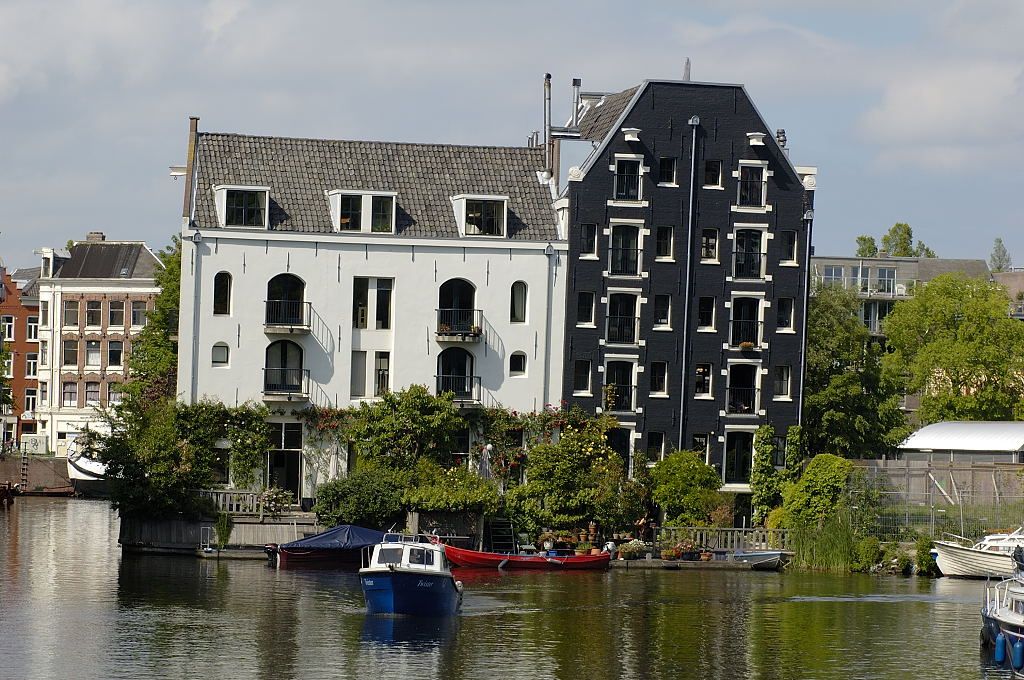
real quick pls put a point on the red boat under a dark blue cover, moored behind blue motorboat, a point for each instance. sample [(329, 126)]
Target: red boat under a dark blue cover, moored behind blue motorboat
[(338, 548)]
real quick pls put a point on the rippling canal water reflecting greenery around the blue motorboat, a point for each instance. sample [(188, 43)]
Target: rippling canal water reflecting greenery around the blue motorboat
[(73, 607)]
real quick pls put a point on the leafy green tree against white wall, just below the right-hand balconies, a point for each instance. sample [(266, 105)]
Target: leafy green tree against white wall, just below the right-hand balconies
[(402, 427)]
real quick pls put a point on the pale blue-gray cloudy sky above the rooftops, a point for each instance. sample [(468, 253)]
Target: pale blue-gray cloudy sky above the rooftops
[(911, 110)]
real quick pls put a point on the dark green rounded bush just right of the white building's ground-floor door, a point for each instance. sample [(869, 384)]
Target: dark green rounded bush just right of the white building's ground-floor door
[(371, 496)]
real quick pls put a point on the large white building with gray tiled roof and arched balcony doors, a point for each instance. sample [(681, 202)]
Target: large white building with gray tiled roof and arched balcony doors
[(327, 273)]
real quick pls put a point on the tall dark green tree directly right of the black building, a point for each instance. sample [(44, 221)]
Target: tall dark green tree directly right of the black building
[(850, 408)]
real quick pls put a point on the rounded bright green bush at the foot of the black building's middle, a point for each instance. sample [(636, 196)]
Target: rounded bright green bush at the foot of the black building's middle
[(687, 489)]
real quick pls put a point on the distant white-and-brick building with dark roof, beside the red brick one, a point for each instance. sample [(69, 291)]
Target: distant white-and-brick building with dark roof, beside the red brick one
[(92, 305)]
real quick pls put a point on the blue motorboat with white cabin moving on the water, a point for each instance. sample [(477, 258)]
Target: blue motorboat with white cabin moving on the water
[(409, 576)]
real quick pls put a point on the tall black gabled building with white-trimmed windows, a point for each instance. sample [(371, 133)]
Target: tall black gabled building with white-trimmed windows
[(688, 272)]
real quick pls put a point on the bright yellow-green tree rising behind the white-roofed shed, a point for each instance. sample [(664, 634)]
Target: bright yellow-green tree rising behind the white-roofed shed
[(955, 343)]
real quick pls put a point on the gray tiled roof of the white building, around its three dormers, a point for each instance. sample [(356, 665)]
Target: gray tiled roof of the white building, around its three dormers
[(425, 177)]
